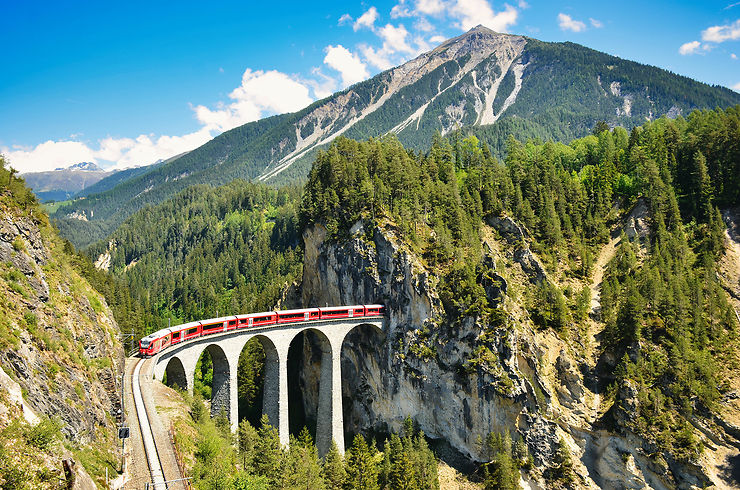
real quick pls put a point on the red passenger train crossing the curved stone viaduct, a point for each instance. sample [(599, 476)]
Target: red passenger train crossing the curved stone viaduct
[(157, 341)]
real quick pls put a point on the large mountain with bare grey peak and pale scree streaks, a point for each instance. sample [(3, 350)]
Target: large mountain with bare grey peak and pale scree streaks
[(483, 82)]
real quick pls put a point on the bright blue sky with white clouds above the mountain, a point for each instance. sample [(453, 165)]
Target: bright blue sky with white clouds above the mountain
[(128, 83)]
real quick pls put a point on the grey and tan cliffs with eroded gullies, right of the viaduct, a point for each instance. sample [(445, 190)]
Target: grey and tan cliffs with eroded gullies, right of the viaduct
[(460, 380)]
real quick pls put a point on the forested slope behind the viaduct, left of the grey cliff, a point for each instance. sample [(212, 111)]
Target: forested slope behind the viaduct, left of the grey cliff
[(205, 252)]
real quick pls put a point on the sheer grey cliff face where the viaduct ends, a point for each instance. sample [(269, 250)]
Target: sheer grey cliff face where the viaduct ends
[(421, 368)]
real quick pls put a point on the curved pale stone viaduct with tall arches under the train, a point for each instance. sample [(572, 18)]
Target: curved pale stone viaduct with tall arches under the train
[(179, 363)]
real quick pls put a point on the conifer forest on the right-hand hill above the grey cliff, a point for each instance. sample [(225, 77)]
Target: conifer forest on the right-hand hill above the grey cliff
[(670, 334)]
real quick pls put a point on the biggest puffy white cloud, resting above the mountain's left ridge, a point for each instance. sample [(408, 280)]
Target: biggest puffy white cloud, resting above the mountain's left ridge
[(261, 93)]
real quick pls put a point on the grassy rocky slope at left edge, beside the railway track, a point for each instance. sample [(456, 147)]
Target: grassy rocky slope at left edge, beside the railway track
[(60, 354)]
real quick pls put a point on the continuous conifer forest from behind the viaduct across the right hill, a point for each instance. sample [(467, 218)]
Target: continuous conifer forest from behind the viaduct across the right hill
[(664, 340)]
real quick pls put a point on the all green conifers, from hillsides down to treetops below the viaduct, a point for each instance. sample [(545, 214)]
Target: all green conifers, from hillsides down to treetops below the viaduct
[(669, 335)]
